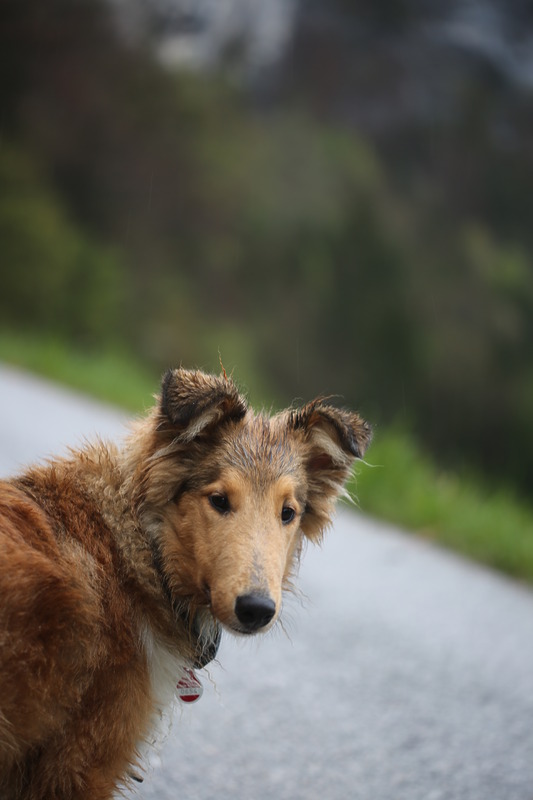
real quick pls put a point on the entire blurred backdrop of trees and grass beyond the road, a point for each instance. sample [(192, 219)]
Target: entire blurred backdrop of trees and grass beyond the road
[(329, 196)]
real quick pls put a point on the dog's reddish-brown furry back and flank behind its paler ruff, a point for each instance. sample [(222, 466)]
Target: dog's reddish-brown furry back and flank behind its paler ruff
[(73, 686)]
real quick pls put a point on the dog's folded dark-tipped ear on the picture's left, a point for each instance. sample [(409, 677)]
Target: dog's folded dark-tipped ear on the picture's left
[(192, 401)]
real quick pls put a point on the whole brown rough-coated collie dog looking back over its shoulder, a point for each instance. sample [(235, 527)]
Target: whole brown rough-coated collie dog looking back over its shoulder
[(119, 568)]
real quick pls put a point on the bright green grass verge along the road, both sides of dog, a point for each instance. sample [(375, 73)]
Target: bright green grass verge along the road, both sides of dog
[(403, 485)]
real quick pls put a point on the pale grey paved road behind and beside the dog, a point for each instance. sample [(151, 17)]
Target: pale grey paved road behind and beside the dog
[(407, 674)]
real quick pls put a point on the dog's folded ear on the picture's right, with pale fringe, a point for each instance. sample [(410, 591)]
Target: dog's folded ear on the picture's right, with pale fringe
[(333, 439)]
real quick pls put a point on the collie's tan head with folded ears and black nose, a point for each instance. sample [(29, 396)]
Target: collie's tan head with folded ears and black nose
[(228, 495)]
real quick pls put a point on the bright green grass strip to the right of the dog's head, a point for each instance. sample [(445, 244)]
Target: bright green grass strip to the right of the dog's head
[(404, 486)]
